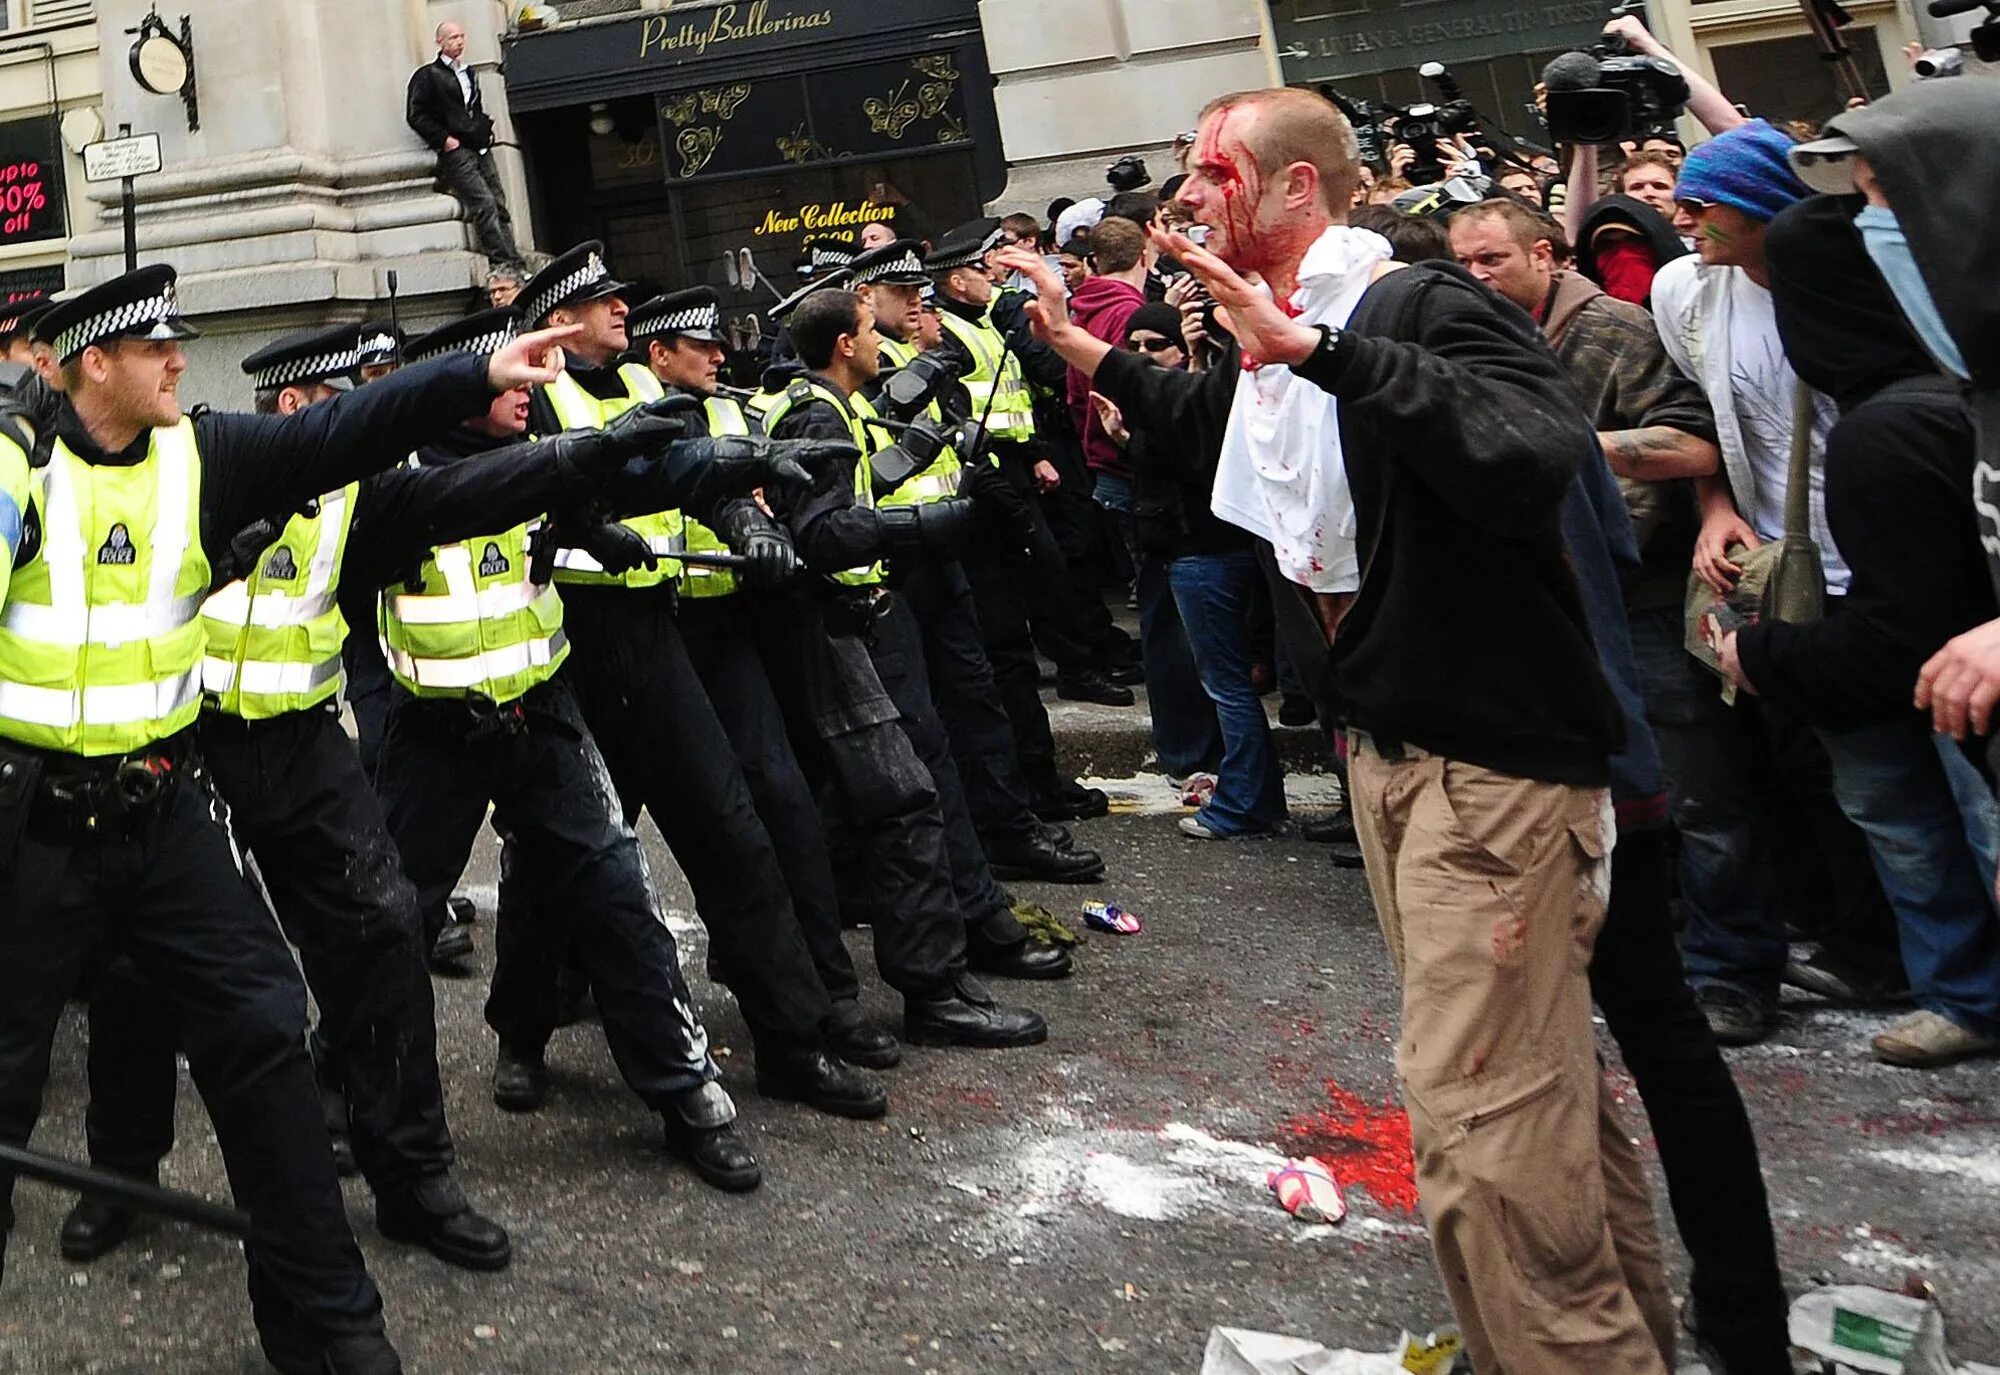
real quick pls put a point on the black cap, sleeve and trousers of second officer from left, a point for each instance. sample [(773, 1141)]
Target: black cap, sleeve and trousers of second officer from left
[(305, 812)]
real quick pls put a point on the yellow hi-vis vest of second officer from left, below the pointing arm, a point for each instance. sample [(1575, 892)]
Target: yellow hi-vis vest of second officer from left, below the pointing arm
[(275, 639)]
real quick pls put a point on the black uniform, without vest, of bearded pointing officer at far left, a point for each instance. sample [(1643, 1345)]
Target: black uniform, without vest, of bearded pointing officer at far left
[(163, 884)]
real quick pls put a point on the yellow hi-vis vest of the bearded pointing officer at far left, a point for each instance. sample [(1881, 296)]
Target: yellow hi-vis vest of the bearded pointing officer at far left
[(101, 639)]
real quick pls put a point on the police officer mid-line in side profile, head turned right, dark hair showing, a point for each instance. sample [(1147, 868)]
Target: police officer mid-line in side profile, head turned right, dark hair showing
[(857, 692)]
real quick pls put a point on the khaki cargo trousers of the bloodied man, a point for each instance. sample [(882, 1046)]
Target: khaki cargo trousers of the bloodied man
[(1491, 892)]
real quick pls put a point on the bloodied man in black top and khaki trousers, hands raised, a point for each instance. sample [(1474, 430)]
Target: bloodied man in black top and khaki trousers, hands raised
[(1461, 439)]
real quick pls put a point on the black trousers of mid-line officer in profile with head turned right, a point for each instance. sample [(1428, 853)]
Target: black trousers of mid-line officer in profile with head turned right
[(879, 800)]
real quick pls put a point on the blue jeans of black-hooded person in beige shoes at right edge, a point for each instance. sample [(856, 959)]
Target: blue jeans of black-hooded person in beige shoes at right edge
[(1931, 830)]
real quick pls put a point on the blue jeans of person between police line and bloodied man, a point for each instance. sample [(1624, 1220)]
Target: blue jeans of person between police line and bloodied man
[(1213, 595)]
